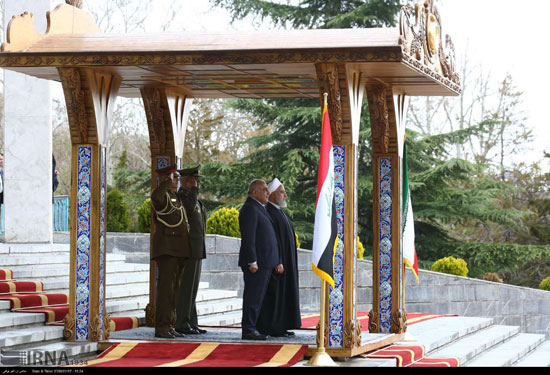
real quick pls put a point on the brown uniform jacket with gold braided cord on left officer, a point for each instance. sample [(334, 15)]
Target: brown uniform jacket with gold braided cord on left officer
[(169, 239)]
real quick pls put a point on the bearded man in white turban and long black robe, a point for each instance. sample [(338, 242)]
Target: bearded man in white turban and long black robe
[(280, 311)]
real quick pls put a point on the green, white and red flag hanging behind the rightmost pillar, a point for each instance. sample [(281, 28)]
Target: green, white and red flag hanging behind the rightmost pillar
[(409, 249)]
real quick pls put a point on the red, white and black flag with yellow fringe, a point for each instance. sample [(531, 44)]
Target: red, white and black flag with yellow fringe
[(325, 231)]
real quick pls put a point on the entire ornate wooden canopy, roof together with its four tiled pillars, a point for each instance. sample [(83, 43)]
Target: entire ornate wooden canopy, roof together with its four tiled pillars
[(383, 65)]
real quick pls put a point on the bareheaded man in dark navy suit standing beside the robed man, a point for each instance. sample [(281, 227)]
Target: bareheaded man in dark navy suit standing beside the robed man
[(258, 255)]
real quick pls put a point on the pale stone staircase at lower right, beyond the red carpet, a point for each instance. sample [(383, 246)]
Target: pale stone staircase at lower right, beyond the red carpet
[(478, 342)]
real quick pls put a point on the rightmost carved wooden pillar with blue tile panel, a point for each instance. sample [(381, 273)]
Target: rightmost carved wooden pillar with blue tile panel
[(388, 313)]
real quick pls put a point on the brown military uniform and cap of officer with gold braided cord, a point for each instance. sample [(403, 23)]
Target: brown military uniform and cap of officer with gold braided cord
[(170, 248)]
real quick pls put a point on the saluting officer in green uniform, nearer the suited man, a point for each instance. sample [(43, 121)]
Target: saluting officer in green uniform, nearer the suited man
[(187, 322)]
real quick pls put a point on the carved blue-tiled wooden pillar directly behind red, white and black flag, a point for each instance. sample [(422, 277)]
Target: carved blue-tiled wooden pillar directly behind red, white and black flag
[(345, 88)]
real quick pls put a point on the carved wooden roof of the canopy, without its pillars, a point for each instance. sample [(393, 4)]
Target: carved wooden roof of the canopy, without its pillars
[(264, 64)]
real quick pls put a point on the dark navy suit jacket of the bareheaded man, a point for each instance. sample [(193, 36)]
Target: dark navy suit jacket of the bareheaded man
[(258, 239)]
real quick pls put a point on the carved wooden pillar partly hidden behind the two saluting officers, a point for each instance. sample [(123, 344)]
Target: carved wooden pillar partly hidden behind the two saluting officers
[(166, 113)]
